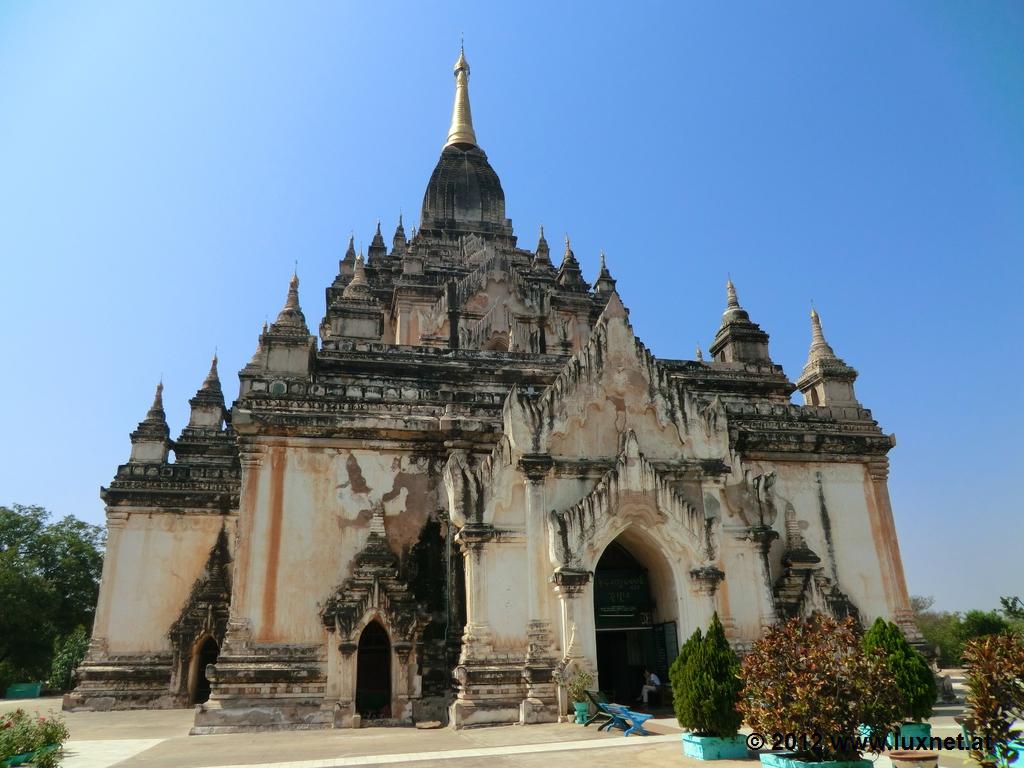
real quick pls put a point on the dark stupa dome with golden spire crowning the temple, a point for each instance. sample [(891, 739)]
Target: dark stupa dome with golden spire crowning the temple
[(464, 194)]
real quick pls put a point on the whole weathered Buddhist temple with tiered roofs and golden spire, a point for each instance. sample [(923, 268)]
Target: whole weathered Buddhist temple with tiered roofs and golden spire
[(473, 479)]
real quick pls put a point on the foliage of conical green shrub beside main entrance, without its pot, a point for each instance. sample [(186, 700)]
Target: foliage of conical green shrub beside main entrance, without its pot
[(710, 687)]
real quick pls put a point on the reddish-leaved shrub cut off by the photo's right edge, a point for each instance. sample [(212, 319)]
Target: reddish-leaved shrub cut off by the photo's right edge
[(995, 672)]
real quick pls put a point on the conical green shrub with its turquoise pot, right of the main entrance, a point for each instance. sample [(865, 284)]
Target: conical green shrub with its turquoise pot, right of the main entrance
[(706, 691)]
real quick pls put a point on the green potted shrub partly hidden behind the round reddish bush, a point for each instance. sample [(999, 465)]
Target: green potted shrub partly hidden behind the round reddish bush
[(914, 678)]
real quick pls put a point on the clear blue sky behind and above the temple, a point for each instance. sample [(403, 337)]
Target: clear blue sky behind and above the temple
[(164, 164)]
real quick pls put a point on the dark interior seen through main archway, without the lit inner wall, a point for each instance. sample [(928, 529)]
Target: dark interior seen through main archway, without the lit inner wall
[(624, 614)]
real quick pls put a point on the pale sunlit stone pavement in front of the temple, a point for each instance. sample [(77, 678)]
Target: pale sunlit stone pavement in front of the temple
[(160, 740)]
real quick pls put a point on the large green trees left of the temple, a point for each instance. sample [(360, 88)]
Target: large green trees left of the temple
[(50, 581)]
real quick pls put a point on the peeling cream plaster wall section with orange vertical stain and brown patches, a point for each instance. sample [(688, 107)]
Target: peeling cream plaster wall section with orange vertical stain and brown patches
[(311, 517)]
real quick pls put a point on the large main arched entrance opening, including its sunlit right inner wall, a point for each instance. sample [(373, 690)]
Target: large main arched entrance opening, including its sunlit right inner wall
[(634, 618)]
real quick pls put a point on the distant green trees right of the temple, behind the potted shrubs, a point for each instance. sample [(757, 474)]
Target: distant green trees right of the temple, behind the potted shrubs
[(948, 632)]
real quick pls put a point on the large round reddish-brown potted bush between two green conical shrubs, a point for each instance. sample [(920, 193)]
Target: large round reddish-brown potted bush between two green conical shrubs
[(812, 682)]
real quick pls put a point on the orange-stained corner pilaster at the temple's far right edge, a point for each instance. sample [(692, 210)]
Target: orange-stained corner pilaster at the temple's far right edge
[(887, 546)]
